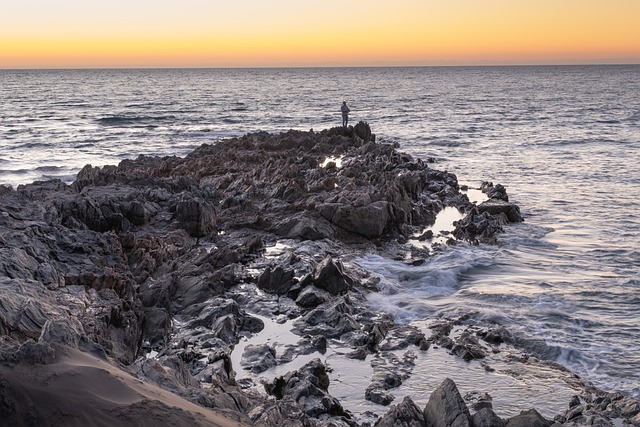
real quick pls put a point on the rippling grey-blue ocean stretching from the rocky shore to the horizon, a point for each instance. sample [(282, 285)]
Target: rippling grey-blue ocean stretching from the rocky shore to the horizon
[(563, 140)]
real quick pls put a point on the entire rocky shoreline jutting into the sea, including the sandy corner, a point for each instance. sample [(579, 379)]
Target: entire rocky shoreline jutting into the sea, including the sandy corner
[(126, 296)]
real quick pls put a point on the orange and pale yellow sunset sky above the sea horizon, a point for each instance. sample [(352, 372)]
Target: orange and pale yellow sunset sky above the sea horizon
[(308, 33)]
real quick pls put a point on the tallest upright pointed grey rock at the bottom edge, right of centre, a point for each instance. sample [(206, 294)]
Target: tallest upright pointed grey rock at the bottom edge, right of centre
[(446, 408)]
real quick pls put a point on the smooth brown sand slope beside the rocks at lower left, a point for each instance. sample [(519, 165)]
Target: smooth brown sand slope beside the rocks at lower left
[(81, 390)]
